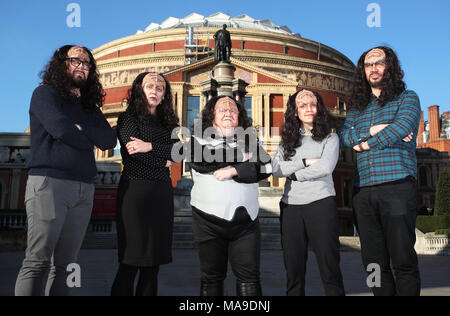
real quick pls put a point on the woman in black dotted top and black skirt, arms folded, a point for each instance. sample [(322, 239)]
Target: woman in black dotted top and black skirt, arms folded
[(145, 195)]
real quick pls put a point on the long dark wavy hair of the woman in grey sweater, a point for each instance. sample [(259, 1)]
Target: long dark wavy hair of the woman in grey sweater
[(290, 132)]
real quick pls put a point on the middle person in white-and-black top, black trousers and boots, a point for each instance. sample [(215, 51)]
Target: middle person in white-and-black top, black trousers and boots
[(224, 197)]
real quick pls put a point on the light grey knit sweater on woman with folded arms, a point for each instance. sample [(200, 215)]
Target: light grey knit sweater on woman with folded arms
[(314, 182)]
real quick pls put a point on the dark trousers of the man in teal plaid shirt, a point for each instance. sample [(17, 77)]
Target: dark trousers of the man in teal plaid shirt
[(386, 221)]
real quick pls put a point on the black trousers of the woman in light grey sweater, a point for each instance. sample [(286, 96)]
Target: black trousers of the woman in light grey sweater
[(317, 224)]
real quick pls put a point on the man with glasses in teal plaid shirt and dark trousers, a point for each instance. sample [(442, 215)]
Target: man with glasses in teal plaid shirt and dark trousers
[(382, 127)]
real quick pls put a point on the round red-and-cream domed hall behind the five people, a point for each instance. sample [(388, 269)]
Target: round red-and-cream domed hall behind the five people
[(271, 59)]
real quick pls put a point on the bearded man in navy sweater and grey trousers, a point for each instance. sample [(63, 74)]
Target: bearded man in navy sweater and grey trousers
[(66, 125)]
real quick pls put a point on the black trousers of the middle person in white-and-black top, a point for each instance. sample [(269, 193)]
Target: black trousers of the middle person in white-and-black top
[(218, 241)]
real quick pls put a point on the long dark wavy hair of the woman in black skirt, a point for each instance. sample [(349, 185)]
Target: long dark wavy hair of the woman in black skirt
[(138, 104)]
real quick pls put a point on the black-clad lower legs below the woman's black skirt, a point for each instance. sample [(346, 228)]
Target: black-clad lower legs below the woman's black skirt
[(124, 283)]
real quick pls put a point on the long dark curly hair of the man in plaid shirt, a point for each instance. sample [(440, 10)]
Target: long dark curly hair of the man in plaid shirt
[(392, 83)]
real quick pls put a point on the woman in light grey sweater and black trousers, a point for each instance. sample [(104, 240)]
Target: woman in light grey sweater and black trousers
[(307, 156)]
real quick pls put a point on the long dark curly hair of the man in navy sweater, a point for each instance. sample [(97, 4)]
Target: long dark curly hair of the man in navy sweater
[(55, 74)]
